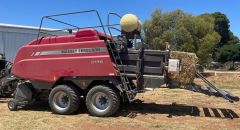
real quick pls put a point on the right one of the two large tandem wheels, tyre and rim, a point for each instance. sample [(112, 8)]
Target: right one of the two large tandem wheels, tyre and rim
[(102, 101)]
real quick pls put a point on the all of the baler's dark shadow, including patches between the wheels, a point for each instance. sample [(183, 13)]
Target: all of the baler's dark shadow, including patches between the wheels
[(132, 110)]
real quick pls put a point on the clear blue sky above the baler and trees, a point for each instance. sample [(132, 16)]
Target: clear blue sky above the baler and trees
[(29, 12)]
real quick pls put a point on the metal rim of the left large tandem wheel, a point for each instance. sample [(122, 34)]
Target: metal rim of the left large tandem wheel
[(61, 100)]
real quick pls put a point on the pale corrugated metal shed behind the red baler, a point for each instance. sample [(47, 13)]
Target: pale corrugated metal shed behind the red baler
[(12, 37)]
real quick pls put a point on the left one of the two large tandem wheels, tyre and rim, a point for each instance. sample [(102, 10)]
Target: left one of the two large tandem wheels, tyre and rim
[(64, 99)]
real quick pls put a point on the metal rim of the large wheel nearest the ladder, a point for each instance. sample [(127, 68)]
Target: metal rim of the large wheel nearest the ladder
[(100, 101)]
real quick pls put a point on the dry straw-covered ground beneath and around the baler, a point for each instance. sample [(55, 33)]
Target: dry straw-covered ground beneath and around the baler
[(162, 108)]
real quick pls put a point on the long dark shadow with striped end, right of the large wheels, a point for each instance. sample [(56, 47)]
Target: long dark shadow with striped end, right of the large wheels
[(139, 107)]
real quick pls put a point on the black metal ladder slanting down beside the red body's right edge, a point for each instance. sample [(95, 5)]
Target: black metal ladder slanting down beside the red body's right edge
[(130, 92)]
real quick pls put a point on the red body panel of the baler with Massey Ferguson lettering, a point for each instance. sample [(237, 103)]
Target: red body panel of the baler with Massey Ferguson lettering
[(83, 54)]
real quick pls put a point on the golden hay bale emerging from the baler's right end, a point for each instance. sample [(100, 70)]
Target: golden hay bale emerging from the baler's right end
[(188, 67)]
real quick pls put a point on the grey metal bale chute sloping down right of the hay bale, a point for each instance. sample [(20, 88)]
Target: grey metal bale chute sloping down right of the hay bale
[(210, 89)]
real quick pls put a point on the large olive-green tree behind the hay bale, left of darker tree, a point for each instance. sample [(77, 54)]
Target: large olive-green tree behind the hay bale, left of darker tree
[(185, 33)]
